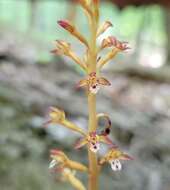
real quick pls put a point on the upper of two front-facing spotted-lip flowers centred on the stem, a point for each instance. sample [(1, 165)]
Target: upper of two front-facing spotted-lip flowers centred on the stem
[(93, 82)]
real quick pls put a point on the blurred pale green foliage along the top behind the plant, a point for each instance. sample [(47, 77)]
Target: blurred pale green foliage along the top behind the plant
[(127, 23)]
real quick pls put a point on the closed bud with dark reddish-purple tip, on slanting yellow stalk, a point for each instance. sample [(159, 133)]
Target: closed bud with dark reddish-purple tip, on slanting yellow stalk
[(72, 30)]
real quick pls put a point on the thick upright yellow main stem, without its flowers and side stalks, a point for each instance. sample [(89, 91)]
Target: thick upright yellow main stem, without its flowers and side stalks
[(93, 166)]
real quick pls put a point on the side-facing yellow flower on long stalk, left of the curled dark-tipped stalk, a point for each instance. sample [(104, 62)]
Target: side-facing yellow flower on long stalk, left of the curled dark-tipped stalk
[(57, 116)]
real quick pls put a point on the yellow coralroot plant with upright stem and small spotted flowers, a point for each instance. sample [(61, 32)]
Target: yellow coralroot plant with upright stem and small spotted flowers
[(91, 138)]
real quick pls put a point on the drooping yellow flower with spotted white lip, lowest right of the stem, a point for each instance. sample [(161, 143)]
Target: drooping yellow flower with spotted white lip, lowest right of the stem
[(114, 156)]
